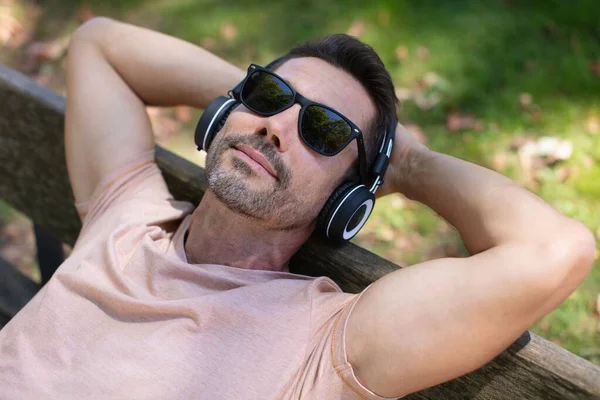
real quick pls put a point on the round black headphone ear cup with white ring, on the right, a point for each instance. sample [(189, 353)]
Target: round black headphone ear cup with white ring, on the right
[(345, 212)]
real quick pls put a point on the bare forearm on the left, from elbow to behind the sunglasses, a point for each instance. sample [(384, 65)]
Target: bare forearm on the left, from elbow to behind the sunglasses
[(161, 70)]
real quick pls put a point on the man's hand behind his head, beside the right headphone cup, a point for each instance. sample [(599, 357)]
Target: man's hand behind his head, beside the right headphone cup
[(401, 161)]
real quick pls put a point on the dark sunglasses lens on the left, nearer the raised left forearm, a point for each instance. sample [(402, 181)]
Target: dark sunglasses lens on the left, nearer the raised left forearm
[(265, 93)]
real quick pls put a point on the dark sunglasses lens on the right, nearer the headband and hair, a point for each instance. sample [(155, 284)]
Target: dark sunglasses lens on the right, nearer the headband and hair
[(324, 130)]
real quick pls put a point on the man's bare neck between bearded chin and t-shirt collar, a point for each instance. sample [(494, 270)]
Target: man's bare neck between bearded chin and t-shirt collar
[(218, 235)]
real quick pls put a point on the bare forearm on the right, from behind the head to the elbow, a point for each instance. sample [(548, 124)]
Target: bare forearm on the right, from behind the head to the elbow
[(488, 209)]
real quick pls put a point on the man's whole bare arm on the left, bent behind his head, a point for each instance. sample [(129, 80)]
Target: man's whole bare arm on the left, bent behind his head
[(114, 70)]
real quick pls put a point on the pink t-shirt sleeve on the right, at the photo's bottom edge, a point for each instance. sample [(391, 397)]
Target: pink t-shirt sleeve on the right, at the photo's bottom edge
[(329, 375)]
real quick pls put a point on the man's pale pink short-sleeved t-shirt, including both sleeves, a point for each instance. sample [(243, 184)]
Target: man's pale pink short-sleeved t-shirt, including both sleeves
[(126, 317)]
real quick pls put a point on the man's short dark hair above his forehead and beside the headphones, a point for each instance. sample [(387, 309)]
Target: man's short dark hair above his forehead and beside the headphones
[(361, 62)]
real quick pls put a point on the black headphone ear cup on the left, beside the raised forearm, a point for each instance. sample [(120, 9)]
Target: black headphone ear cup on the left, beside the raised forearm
[(212, 120)]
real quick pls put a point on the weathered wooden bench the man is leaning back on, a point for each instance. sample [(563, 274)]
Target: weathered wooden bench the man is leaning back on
[(33, 179)]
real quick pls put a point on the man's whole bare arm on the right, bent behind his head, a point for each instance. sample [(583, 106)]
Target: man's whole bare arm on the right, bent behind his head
[(435, 321)]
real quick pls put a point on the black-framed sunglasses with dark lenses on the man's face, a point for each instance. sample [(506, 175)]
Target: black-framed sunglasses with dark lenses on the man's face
[(323, 129)]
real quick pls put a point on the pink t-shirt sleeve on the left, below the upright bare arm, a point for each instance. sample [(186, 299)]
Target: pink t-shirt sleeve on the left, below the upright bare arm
[(131, 193)]
